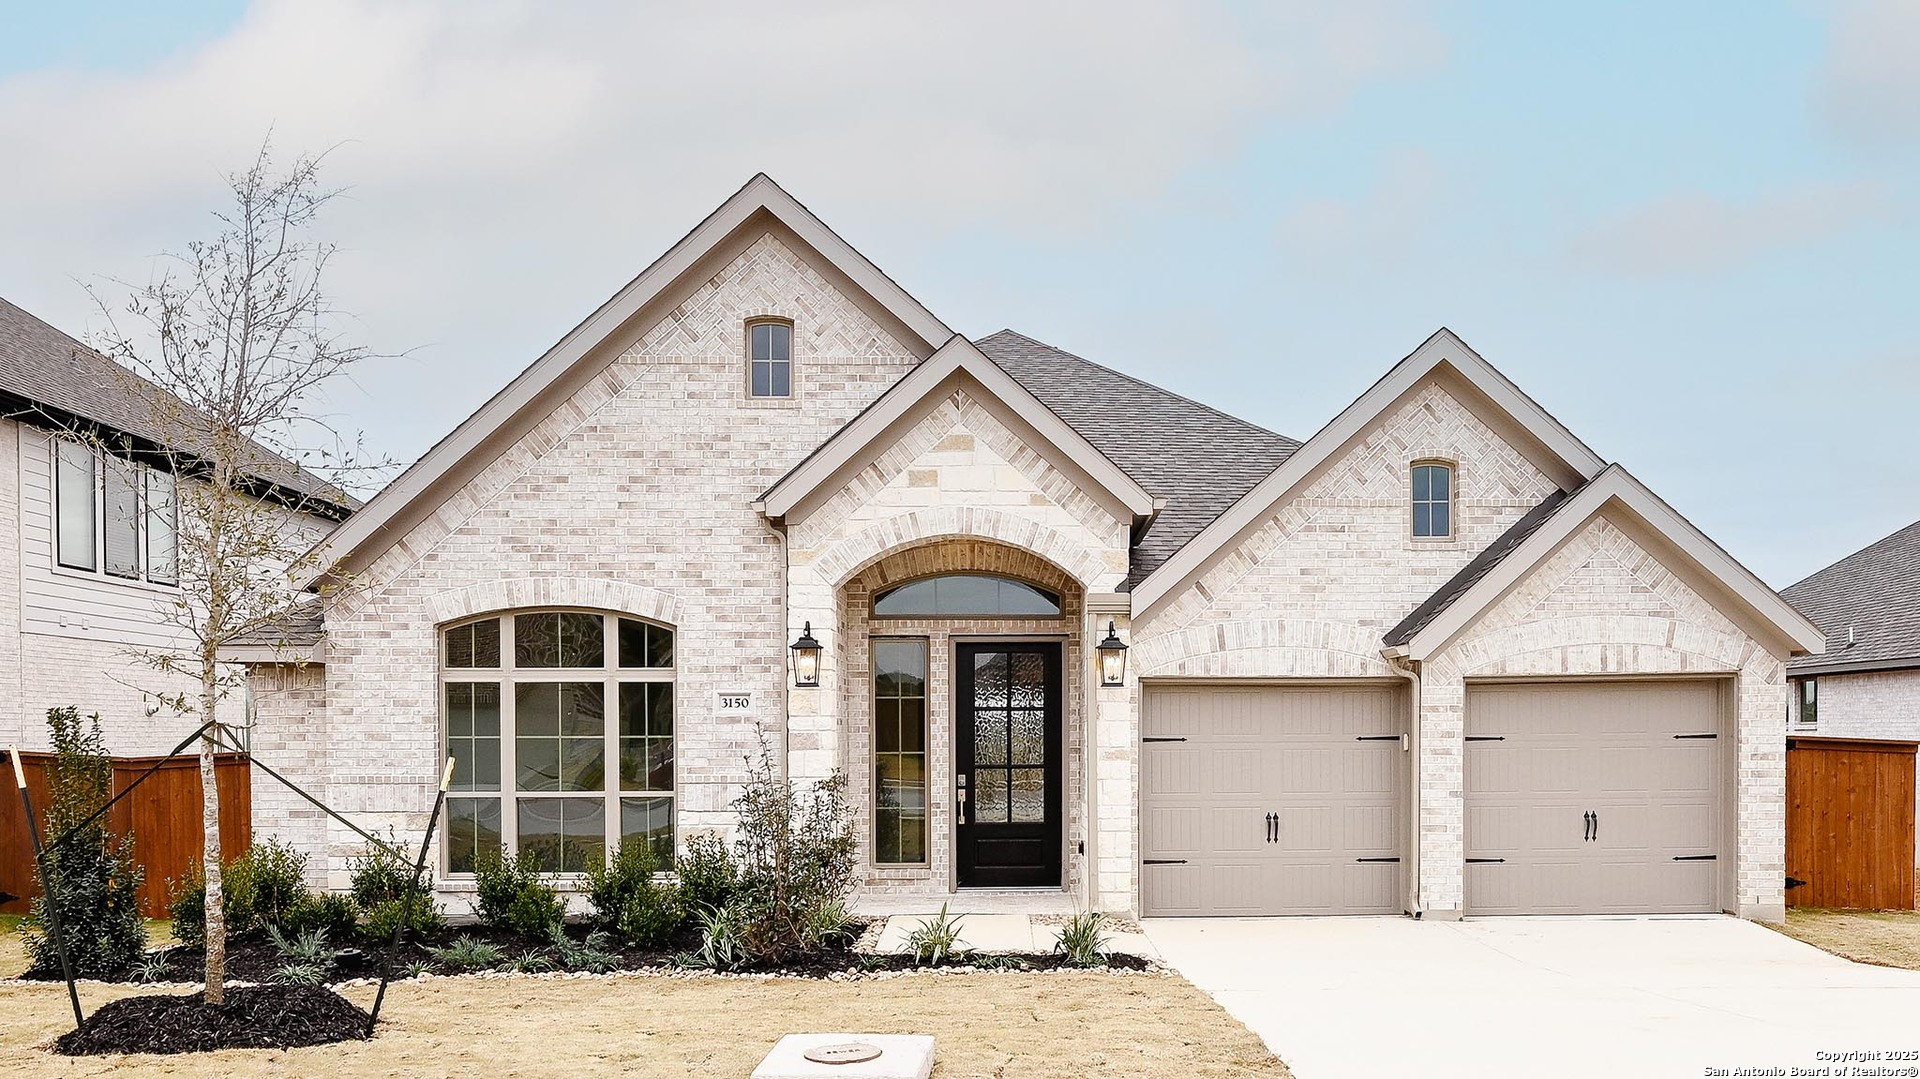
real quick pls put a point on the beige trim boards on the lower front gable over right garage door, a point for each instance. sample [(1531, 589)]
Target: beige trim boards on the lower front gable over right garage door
[(1614, 487)]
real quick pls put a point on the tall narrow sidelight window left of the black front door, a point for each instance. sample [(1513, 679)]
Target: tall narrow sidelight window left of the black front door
[(900, 752)]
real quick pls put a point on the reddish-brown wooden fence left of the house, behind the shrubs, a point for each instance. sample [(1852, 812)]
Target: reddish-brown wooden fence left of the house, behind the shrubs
[(162, 815)]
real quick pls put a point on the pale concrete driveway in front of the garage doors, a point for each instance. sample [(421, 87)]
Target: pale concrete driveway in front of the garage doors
[(1527, 997)]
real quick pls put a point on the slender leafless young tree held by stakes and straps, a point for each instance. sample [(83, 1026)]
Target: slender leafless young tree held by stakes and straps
[(241, 337)]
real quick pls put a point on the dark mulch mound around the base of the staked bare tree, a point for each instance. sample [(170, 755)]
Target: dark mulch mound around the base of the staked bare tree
[(254, 1017)]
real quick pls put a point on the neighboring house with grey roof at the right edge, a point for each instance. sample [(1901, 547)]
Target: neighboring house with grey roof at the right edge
[(1867, 684)]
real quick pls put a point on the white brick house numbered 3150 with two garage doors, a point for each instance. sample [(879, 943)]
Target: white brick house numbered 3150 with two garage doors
[(1437, 659)]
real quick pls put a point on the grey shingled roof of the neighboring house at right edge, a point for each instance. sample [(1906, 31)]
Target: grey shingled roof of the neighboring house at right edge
[(1875, 596)]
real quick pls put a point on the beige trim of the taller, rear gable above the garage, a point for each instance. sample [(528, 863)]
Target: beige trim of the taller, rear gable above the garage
[(1439, 352)]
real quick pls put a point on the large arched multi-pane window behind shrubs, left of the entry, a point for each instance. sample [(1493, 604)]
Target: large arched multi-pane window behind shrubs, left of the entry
[(562, 732)]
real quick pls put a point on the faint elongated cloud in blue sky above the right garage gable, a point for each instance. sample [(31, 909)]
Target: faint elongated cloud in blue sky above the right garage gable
[(1696, 233)]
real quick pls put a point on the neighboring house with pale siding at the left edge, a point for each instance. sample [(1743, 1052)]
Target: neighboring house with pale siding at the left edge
[(89, 565)]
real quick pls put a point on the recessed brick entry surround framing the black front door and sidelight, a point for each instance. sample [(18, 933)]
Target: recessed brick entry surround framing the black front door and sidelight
[(936, 880)]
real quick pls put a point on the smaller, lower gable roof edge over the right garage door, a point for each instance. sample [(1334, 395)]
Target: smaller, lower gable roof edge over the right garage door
[(1468, 596)]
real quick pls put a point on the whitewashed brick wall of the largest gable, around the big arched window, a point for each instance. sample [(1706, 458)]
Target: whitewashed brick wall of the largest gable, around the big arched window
[(638, 491)]
